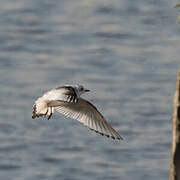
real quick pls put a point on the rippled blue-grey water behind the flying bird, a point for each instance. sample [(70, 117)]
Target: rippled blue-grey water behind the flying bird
[(126, 52)]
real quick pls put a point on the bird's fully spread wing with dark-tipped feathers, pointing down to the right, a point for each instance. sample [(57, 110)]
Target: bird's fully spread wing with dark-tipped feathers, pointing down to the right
[(86, 113)]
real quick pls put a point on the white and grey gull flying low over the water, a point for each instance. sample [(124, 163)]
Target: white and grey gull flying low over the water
[(67, 100)]
